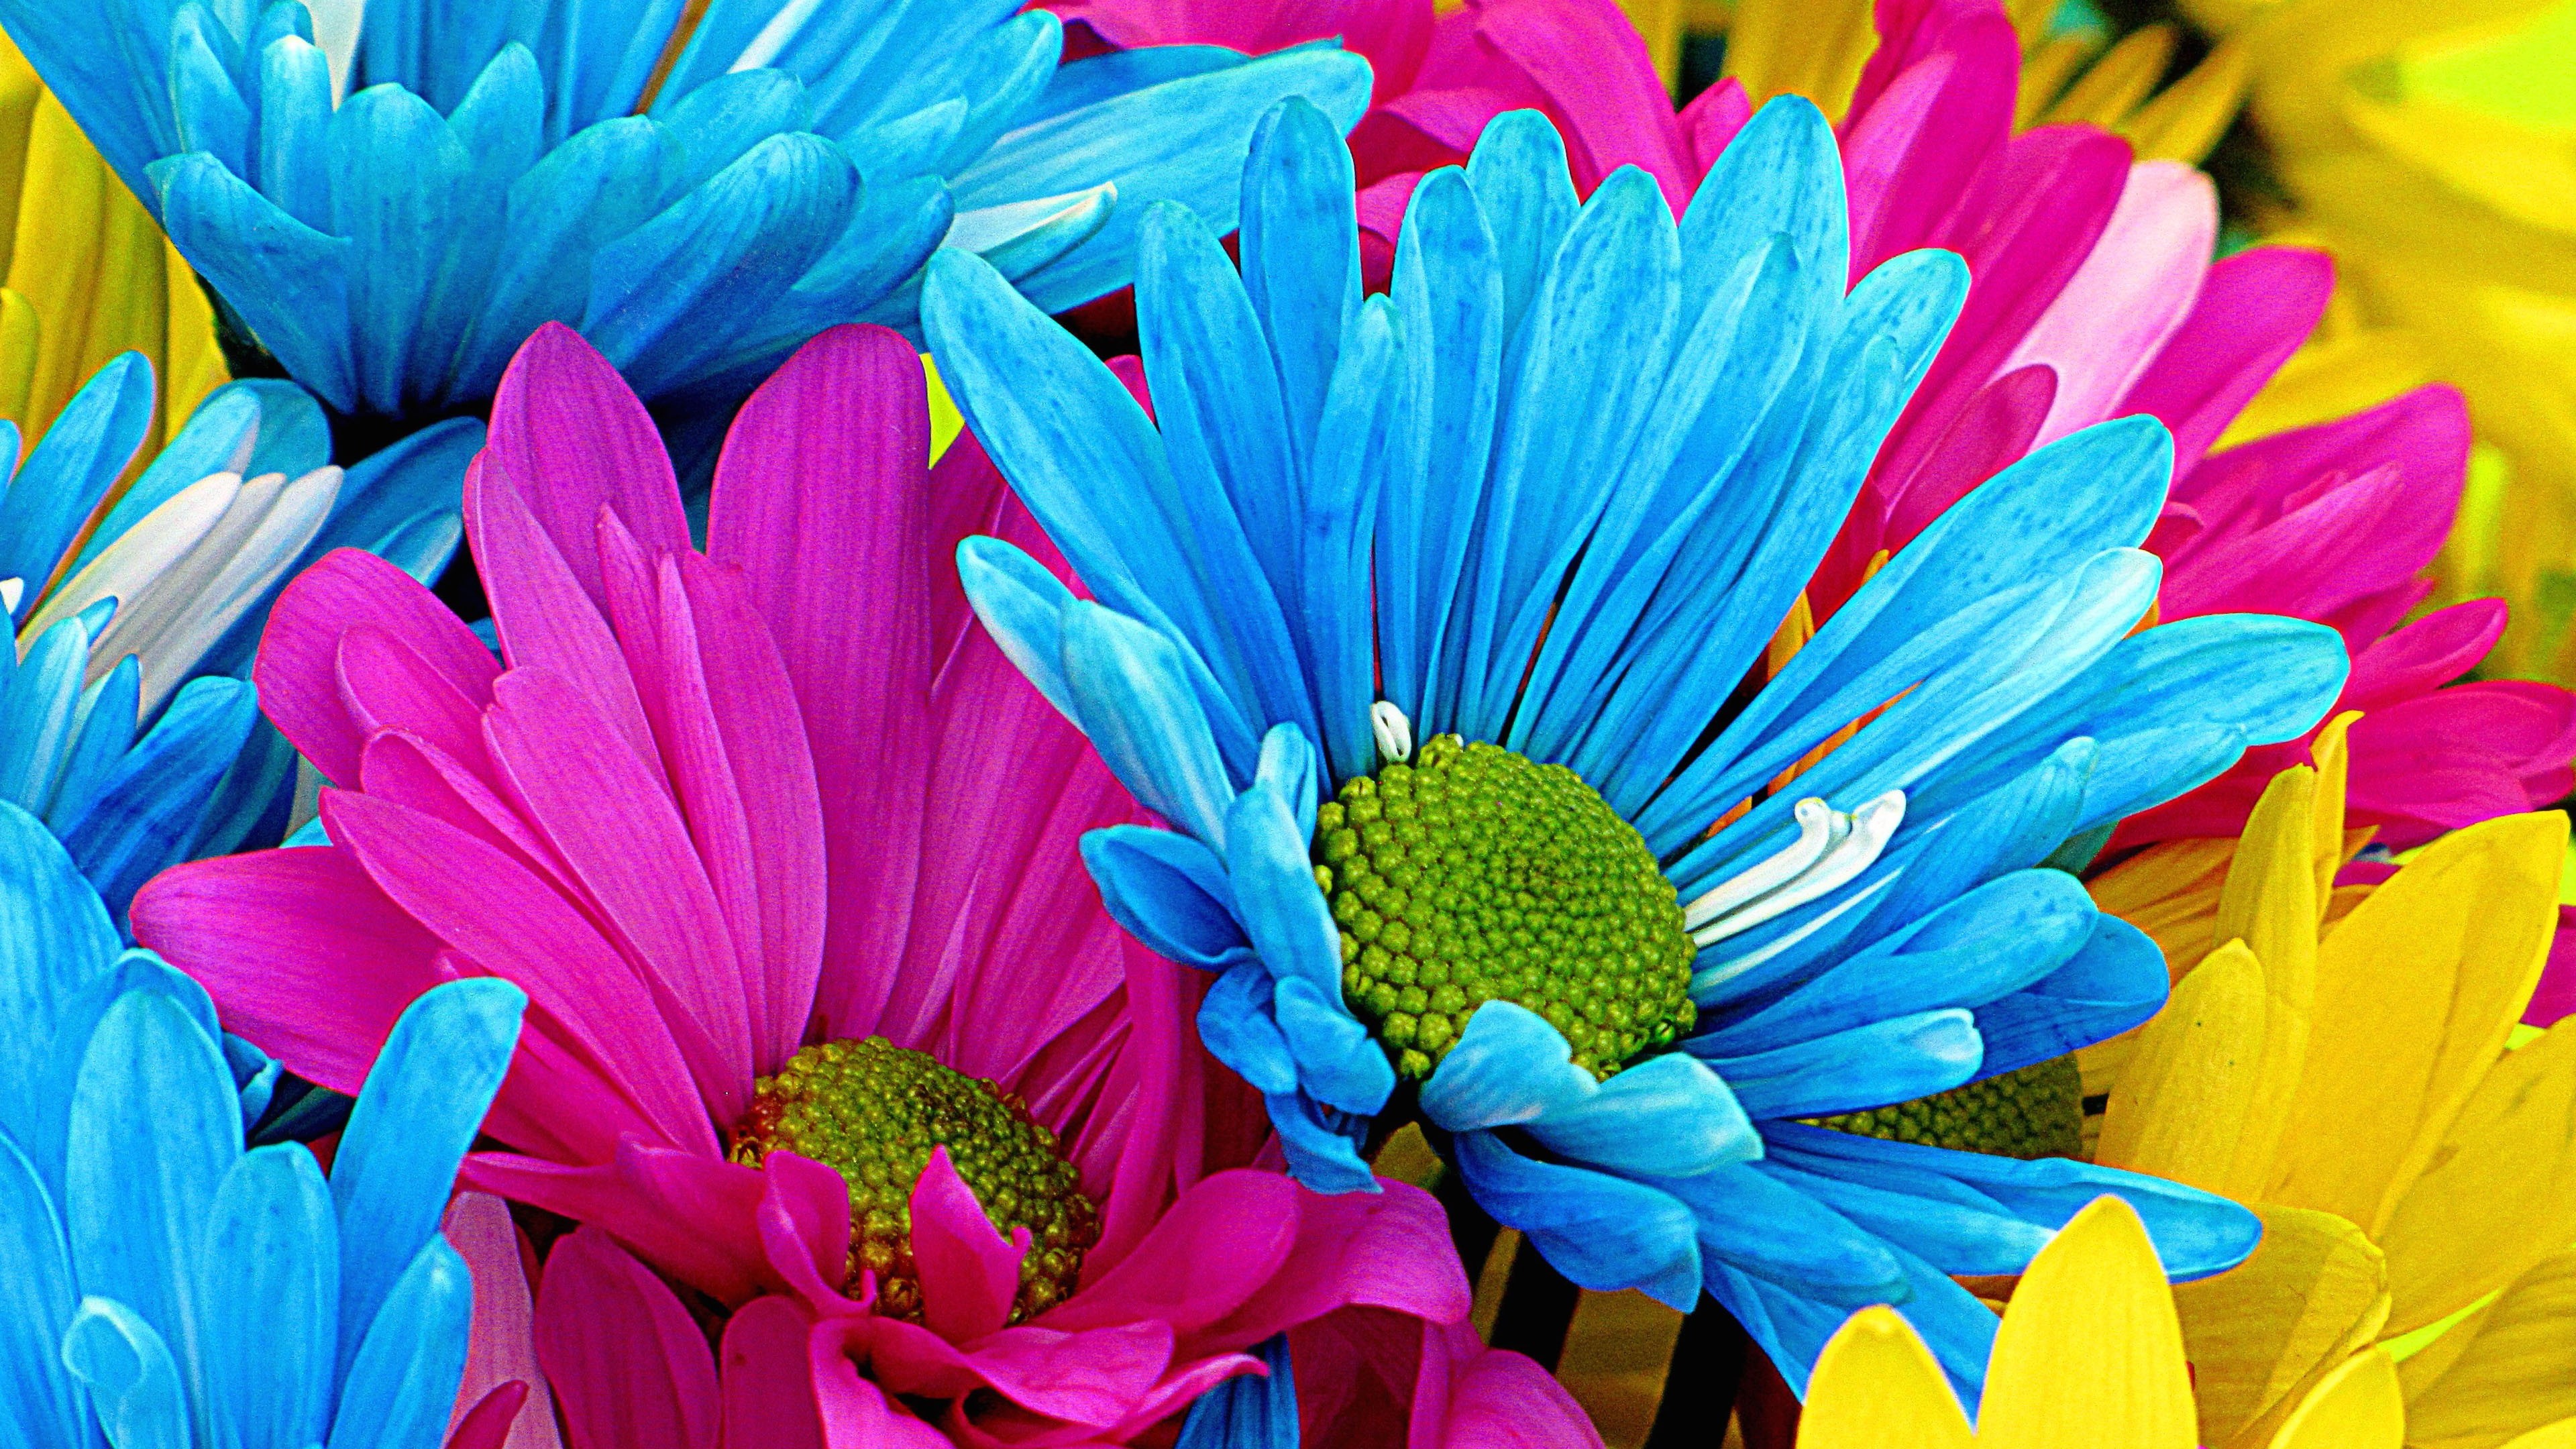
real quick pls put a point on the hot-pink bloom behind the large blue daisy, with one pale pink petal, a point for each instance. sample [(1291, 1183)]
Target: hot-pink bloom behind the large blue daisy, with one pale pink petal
[(2093, 298)]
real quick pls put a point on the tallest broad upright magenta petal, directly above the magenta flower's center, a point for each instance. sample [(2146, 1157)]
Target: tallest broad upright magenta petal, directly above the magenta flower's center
[(820, 501)]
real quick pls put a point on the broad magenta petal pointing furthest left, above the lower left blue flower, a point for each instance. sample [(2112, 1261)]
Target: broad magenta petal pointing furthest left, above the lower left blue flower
[(300, 950)]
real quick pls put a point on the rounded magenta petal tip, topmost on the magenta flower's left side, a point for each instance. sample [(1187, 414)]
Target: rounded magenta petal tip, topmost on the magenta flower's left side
[(573, 437)]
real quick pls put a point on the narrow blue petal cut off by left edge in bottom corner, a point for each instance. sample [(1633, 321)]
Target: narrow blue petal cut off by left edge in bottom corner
[(37, 1298)]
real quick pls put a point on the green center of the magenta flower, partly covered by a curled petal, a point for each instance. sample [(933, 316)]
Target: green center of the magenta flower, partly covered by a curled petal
[(875, 1113)]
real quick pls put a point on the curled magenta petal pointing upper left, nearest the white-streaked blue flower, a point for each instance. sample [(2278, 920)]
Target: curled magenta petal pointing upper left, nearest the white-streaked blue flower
[(298, 666)]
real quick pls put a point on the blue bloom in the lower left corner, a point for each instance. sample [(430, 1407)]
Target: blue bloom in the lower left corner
[(166, 1285)]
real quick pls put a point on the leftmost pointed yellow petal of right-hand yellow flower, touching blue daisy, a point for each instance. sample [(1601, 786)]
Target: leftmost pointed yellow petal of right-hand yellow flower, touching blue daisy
[(2191, 1082)]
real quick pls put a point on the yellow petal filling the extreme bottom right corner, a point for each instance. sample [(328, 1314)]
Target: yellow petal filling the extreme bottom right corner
[(2505, 1370)]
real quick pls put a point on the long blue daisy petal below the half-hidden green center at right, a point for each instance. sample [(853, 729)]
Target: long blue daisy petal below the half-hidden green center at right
[(2196, 1234)]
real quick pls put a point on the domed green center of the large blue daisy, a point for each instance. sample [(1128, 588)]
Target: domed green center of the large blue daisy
[(1477, 875)]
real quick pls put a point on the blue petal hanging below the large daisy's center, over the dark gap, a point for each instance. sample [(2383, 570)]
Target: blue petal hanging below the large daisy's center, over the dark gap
[(1606, 1234)]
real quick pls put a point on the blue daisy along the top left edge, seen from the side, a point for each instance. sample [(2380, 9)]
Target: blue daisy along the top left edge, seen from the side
[(694, 202)]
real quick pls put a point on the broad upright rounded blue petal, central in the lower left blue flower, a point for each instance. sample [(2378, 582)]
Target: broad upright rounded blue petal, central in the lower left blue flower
[(153, 1133)]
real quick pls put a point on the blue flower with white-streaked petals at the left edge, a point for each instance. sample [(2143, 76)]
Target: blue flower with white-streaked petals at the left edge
[(128, 718)]
